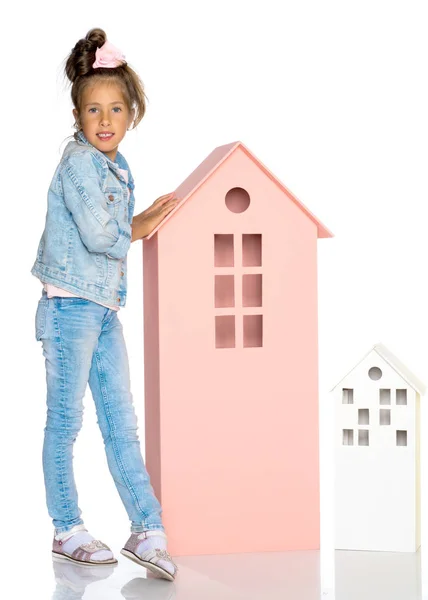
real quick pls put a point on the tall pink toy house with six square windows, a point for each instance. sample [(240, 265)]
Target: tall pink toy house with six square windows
[(231, 361)]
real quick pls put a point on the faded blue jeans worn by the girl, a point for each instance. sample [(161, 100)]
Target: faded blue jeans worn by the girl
[(83, 342)]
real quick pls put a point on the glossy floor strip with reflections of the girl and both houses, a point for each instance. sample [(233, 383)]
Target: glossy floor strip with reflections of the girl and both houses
[(272, 575)]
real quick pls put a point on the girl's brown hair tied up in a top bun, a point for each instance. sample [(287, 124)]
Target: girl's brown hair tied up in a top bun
[(78, 69)]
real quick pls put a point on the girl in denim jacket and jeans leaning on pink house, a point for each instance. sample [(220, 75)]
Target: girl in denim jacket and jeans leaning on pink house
[(81, 261)]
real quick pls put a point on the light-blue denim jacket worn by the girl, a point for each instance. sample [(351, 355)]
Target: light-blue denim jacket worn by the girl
[(87, 230)]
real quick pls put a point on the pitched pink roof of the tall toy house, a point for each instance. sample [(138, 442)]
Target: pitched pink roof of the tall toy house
[(211, 164)]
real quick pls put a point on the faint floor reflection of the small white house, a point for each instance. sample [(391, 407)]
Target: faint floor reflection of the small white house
[(377, 576)]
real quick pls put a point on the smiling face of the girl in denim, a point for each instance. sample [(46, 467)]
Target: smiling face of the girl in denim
[(104, 110)]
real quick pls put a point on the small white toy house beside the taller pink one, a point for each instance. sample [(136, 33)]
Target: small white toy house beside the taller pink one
[(377, 449)]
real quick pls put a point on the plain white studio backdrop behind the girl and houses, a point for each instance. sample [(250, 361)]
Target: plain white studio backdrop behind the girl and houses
[(332, 96)]
